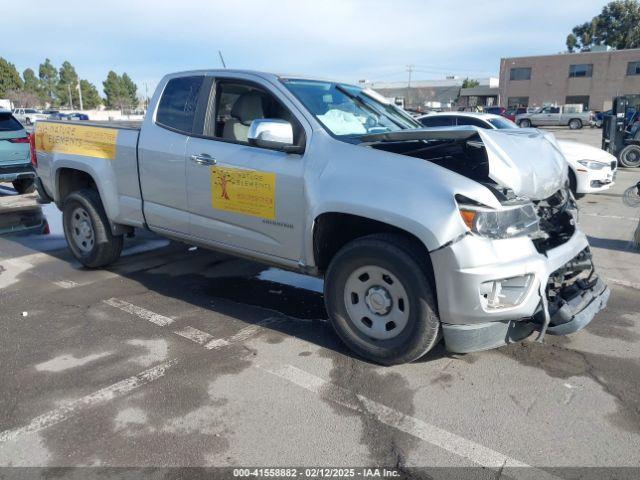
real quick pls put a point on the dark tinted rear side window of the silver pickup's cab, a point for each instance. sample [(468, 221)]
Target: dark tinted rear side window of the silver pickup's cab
[(177, 108)]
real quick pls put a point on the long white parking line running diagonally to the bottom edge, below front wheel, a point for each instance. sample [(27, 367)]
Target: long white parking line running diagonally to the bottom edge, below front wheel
[(448, 441)]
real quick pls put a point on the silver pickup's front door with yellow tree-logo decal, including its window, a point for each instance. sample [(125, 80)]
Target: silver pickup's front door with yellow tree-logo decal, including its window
[(240, 196)]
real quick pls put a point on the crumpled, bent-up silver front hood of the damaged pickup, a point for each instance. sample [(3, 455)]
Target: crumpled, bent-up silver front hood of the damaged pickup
[(527, 161)]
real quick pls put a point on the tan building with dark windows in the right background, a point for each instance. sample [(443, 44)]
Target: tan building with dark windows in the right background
[(588, 78)]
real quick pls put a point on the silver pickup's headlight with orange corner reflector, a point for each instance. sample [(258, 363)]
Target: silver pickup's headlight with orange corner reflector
[(511, 221)]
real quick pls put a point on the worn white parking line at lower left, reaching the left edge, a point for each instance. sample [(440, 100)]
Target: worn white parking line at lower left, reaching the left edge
[(104, 395)]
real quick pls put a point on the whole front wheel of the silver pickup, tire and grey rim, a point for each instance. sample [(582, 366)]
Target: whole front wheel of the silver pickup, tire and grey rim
[(380, 300)]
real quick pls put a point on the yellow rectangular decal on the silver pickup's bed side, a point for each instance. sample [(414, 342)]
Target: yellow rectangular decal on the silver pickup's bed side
[(76, 140)]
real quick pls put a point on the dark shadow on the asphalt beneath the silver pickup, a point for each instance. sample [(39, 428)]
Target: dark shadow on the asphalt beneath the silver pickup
[(233, 287)]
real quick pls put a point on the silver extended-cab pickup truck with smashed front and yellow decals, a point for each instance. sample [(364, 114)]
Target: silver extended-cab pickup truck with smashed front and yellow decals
[(464, 232)]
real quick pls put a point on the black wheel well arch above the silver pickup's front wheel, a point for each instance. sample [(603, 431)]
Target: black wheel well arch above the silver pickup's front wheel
[(333, 230)]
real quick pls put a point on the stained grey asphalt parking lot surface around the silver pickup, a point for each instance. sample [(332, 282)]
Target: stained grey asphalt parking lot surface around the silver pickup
[(177, 356)]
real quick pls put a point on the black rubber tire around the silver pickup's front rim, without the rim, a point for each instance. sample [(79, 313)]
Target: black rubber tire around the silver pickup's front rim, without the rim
[(410, 265)]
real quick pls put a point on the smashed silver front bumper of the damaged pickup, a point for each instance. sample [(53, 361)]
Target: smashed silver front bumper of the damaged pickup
[(562, 281)]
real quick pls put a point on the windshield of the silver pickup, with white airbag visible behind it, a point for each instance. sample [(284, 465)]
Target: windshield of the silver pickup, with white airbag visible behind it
[(349, 111)]
